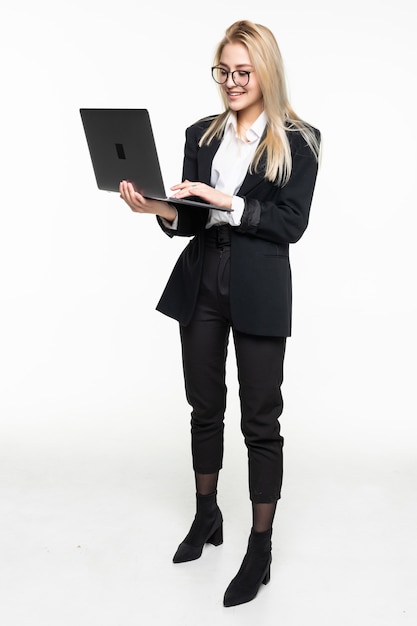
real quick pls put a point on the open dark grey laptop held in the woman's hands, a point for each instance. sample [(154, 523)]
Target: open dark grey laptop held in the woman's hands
[(122, 147)]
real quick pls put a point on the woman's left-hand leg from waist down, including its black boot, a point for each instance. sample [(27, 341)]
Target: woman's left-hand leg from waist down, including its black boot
[(204, 351)]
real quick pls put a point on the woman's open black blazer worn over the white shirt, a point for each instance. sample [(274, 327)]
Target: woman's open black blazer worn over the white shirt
[(260, 273)]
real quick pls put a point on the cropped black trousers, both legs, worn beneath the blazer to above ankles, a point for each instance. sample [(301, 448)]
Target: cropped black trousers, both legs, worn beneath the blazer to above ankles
[(260, 372)]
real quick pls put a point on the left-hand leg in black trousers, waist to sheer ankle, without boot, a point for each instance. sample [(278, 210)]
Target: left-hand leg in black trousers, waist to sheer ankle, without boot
[(204, 350)]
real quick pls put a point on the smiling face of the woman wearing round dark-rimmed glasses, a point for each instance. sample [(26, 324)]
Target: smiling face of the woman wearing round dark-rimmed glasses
[(246, 101)]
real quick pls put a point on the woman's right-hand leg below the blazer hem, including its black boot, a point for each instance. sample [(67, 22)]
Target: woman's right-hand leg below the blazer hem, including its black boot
[(260, 366)]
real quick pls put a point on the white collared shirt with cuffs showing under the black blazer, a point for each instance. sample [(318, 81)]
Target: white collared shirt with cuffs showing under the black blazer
[(229, 168)]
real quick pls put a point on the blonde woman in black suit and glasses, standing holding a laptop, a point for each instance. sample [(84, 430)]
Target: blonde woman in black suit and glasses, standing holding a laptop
[(257, 161)]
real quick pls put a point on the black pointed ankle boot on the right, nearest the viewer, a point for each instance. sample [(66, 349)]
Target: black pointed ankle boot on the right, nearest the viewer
[(255, 570)]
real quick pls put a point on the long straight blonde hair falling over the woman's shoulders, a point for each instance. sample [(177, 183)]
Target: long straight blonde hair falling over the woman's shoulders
[(267, 60)]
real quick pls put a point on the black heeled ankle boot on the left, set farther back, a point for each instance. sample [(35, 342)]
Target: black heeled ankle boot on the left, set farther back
[(207, 527)]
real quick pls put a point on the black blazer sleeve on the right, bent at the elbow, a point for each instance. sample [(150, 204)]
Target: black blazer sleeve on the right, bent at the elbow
[(281, 214)]
